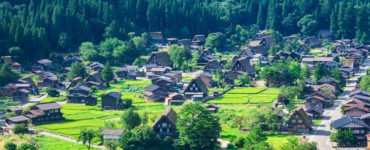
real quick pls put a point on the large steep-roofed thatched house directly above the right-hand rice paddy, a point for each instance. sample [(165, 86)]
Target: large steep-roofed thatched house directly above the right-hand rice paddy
[(242, 66)]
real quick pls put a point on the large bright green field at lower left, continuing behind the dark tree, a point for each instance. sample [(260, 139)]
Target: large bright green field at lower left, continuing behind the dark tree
[(82, 117)]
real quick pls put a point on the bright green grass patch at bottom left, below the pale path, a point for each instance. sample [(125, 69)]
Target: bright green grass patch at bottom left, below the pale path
[(48, 143)]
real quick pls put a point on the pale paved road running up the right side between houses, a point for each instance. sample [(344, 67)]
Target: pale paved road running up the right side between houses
[(321, 132)]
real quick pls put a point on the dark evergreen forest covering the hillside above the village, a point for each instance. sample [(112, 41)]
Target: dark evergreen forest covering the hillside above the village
[(33, 29)]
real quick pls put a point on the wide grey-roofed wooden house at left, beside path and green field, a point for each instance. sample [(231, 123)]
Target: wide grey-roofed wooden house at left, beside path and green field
[(44, 112)]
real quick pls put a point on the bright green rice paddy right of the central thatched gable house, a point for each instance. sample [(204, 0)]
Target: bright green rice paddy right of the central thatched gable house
[(248, 95)]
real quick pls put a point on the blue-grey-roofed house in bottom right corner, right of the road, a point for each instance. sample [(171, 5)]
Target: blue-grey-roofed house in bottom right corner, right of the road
[(358, 127)]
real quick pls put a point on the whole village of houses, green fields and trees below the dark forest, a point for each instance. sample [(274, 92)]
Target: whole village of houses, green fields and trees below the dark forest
[(283, 92)]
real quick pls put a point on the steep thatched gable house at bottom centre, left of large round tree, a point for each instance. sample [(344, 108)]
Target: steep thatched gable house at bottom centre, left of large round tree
[(165, 125)]
